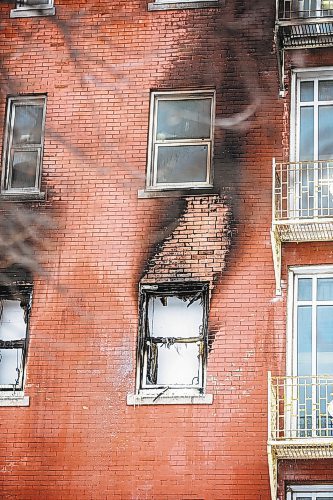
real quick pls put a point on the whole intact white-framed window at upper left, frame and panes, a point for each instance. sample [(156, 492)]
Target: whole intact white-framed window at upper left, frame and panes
[(23, 149)]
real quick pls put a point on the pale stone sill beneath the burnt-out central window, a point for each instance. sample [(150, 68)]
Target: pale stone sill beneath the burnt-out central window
[(141, 400)]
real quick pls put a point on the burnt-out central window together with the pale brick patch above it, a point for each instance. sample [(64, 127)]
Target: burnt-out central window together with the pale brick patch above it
[(174, 303)]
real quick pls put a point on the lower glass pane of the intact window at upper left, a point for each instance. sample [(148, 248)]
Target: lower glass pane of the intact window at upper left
[(24, 169)]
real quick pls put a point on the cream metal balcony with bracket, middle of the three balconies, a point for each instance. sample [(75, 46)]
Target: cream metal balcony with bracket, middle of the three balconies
[(302, 205)]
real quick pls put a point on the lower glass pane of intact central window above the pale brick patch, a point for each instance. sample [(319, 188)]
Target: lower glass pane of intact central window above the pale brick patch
[(181, 164)]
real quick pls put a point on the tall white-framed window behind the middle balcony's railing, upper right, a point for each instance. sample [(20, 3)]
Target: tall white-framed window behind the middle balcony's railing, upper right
[(311, 143)]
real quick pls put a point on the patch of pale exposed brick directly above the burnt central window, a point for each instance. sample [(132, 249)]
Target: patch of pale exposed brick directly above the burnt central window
[(196, 249)]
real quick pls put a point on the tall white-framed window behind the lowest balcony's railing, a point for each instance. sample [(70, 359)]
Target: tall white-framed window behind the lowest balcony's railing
[(310, 351)]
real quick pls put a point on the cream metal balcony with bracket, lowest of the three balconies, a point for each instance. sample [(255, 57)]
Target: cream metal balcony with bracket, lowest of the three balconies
[(300, 423)]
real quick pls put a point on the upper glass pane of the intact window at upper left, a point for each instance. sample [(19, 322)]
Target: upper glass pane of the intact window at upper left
[(28, 124)]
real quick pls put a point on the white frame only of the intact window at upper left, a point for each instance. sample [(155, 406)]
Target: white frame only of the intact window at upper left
[(6, 165)]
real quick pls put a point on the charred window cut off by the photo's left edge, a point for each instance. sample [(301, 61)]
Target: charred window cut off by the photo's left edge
[(15, 306)]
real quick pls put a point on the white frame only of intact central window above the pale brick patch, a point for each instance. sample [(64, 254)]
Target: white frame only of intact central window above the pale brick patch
[(153, 145)]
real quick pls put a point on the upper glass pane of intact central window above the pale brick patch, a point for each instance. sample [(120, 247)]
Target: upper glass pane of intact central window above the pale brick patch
[(185, 119)]
